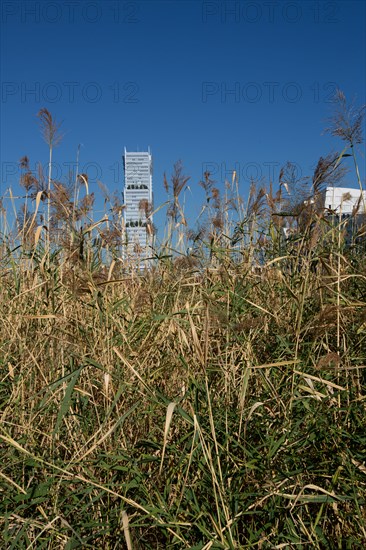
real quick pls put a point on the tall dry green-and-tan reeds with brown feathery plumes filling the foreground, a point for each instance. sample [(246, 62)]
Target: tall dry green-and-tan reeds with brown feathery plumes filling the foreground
[(214, 400)]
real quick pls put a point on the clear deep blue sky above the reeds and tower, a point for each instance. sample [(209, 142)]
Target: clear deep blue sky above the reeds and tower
[(224, 85)]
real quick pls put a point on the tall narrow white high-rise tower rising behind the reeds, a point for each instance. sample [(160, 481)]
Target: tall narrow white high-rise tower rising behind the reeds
[(138, 199)]
